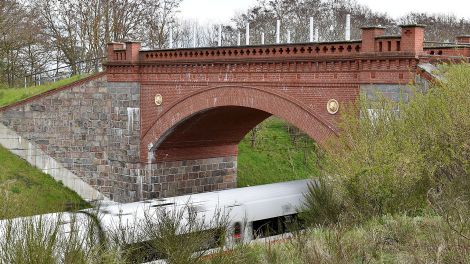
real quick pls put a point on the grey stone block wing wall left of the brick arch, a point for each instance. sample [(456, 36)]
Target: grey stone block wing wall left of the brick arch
[(71, 126)]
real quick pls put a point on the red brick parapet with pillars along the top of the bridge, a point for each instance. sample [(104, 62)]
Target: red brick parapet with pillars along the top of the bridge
[(411, 41)]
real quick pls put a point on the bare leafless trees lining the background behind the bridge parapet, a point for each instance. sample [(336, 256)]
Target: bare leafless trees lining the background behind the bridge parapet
[(36, 35)]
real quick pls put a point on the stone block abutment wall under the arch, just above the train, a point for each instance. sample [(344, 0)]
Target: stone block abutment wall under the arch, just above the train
[(166, 179)]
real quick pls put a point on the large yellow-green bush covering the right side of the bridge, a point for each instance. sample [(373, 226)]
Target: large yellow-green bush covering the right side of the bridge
[(386, 162)]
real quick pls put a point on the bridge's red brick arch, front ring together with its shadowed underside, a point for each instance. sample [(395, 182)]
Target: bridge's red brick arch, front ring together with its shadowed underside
[(211, 123)]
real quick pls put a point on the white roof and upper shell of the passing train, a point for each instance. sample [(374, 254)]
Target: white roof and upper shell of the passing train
[(241, 204)]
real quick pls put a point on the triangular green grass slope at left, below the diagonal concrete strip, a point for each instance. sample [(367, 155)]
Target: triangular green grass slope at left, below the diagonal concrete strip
[(25, 190)]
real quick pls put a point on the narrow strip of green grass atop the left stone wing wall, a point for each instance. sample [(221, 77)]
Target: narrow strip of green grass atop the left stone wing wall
[(12, 95)]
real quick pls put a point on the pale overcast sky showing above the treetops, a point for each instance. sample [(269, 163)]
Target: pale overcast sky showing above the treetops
[(216, 11)]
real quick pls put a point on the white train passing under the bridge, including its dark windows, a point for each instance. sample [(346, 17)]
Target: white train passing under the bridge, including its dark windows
[(251, 212)]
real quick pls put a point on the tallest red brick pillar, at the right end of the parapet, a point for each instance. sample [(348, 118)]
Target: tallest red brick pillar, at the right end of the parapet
[(412, 38)]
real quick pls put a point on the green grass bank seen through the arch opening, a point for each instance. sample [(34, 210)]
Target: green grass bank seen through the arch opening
[(275, 156)]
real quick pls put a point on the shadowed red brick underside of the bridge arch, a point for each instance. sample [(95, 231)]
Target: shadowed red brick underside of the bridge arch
[(214, 132)]
